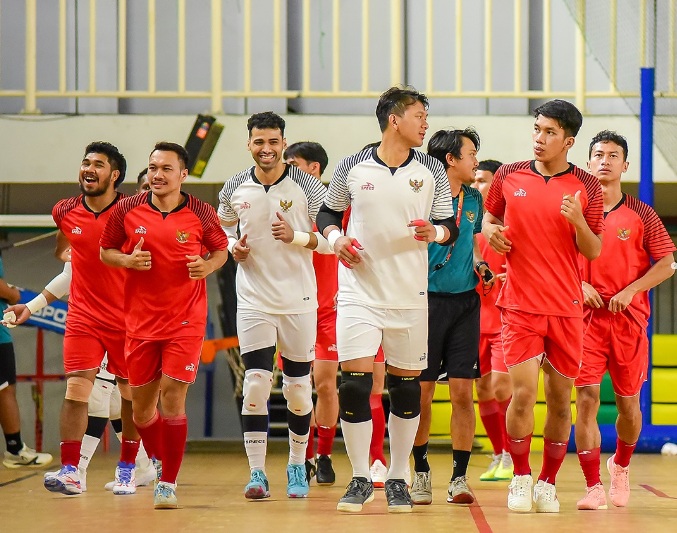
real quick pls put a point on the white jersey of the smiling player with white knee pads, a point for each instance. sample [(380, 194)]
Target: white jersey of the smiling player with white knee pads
[(276, 277)]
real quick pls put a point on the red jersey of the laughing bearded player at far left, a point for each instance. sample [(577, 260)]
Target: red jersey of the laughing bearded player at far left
[(96, 289)]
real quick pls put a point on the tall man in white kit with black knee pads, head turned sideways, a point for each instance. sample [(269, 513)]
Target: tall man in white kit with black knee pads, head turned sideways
[(394, 192)]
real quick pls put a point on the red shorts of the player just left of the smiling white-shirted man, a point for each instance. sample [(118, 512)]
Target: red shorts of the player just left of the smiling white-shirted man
[(176, 358)]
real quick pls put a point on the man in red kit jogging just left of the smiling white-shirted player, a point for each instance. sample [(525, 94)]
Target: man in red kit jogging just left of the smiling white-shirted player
[(159, 238)]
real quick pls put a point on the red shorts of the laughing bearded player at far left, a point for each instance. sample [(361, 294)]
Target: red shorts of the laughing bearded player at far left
[(84, 350)]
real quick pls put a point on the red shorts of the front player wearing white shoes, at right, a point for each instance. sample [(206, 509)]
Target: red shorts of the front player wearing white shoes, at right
[(556, 338)]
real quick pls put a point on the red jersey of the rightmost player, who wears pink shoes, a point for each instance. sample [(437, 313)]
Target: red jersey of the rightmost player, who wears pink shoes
[(634, 238)]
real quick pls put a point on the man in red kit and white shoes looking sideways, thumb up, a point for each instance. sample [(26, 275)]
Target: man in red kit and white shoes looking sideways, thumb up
[(541, 214)]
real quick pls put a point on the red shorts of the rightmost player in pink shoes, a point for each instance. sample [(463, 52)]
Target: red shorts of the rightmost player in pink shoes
[(617, 343)]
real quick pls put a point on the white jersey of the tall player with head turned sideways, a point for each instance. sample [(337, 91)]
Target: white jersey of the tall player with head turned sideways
[(393, 272)]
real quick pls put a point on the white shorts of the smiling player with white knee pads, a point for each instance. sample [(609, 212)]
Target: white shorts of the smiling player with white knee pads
[(294, 335)]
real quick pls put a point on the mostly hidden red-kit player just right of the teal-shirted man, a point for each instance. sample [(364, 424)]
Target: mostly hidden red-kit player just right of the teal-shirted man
[(493, 388)]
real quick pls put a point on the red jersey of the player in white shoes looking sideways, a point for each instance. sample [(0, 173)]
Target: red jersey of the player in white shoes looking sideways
[(542, 266)]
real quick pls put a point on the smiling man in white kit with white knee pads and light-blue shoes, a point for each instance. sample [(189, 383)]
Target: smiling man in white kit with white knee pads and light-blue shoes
[(276, 293)]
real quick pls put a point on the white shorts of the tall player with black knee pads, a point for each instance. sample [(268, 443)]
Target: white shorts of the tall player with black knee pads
[(403, 333)]
